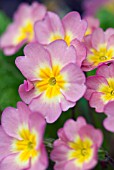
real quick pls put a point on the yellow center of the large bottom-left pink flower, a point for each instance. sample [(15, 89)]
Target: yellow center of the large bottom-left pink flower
[(26, 146)]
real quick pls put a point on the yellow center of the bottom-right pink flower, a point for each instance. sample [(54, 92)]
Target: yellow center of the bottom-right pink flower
[(81, 151)]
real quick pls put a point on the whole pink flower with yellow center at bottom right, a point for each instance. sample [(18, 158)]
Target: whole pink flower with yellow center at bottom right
[(77, 146)]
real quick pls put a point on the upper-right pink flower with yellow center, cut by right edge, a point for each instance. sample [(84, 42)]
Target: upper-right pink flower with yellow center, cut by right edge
[(100, 49)]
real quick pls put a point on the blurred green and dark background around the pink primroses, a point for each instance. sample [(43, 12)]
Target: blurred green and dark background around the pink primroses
[(11, 78)]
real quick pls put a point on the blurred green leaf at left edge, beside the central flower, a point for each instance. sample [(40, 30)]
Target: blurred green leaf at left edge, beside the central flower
[(10, 79)]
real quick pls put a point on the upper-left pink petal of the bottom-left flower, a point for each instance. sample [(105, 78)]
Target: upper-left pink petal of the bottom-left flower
[(12, 118)]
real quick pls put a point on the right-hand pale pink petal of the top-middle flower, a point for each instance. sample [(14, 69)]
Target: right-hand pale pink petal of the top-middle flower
[(72, 23)]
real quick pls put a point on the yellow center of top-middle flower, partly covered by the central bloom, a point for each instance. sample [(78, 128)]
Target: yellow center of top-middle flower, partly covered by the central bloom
[(56, 36)]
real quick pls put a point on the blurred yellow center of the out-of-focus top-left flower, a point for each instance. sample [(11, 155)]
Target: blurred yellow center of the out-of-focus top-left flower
[(26, 31)]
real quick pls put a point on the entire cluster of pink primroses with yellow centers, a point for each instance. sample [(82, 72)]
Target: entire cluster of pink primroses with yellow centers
[(56, 55)]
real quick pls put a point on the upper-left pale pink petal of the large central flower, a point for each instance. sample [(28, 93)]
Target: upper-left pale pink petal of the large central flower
[(35, 56)]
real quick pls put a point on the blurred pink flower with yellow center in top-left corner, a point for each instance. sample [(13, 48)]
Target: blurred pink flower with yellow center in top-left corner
[(21, 31)]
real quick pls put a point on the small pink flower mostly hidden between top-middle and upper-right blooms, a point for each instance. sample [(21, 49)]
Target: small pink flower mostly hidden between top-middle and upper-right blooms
[(93, 24)]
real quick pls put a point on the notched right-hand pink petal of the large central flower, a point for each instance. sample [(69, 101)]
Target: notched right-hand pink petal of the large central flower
[(75, 79)]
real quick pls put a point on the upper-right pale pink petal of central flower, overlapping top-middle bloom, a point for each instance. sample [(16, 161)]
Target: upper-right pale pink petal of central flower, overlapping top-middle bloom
[(61, 54)]
